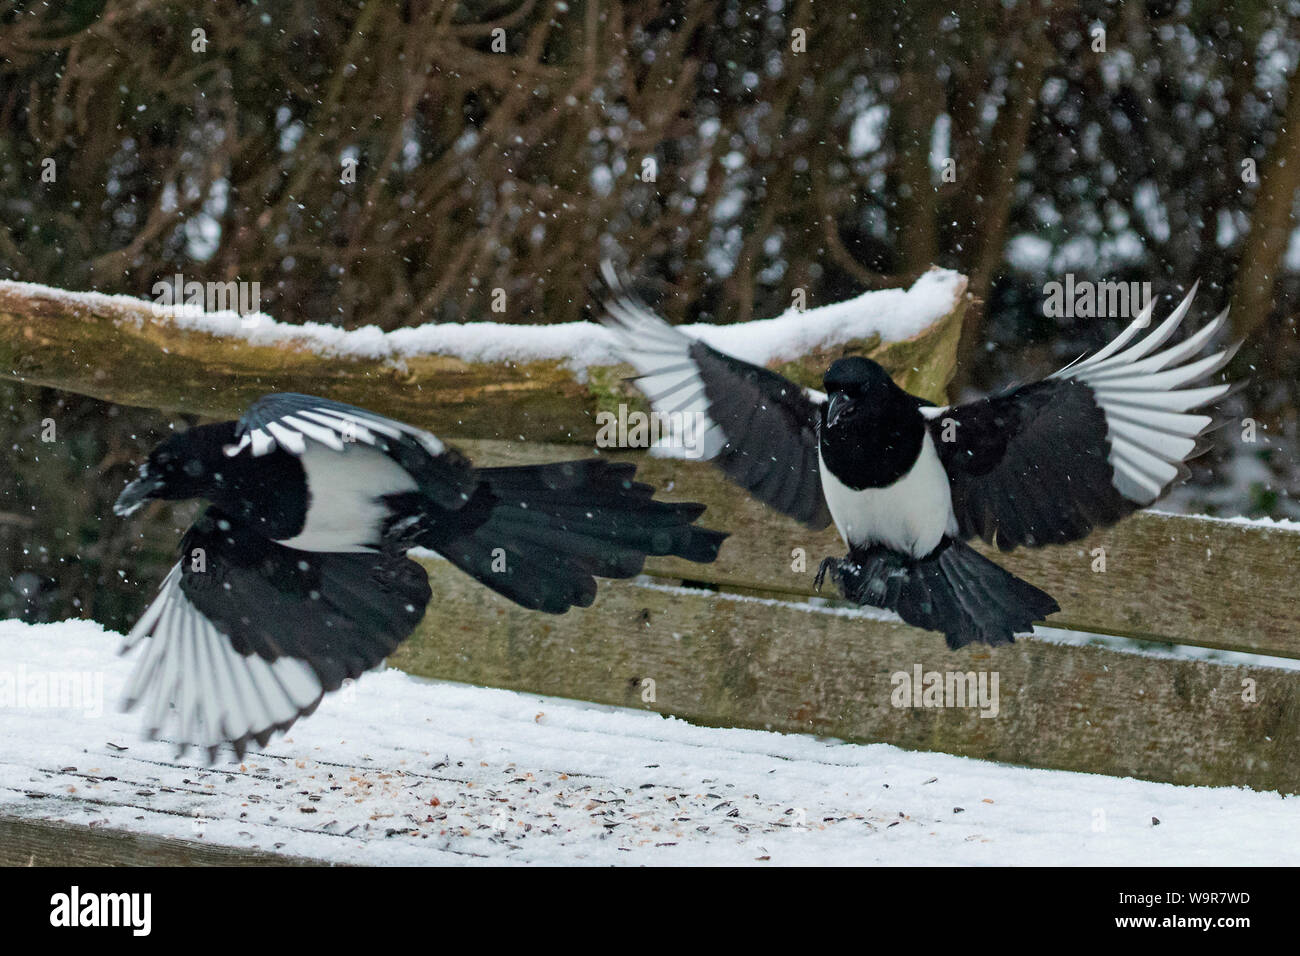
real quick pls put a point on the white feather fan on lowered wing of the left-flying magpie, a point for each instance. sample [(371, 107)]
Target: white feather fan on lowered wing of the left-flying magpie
[(198, 690)]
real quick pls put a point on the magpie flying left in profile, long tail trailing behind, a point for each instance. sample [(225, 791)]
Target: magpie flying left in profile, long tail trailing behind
[(296, 578)]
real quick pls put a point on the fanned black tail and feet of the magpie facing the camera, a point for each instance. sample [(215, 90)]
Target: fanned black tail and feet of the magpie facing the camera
[(955, 590)]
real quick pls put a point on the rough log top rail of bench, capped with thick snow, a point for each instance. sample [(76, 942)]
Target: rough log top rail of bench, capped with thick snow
[(489, 380)]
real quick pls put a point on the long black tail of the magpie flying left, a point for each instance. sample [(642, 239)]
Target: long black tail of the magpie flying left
[(541, 534)]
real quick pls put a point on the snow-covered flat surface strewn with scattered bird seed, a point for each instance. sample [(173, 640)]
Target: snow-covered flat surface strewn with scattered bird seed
[(398, 771)]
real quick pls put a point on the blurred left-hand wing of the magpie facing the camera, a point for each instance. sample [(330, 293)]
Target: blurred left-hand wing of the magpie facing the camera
[(757, 426)]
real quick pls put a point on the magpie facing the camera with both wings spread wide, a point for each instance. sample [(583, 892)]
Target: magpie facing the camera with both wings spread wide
[(908, 483)]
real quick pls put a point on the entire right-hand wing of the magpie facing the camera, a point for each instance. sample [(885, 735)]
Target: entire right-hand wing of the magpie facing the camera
[(1048, 462)]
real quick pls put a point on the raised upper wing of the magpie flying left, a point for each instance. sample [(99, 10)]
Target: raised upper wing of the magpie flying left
[(292, 422)]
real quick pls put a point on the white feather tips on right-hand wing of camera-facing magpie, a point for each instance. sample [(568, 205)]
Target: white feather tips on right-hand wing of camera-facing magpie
[(1139, 391)]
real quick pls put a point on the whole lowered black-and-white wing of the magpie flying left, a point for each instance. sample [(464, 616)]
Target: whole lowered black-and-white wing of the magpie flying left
[(248, 635)]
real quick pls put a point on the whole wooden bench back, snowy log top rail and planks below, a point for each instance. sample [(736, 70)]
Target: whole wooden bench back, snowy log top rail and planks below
[(1212, 698)]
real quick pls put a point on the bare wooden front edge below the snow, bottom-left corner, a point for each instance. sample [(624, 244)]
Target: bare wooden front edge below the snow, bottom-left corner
[(31, 842)]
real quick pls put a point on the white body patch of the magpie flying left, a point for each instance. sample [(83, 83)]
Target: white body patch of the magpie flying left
[(345, 498)]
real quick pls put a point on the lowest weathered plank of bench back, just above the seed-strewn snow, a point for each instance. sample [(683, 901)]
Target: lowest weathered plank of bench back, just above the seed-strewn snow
[(730, 661)]
